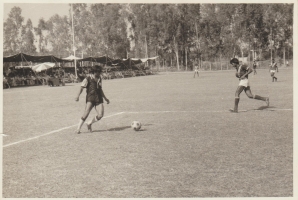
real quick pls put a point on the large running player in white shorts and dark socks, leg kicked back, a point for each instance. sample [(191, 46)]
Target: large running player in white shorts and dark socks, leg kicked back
[(242, 74)]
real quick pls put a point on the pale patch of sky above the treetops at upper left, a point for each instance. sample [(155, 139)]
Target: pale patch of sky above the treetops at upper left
[(35, 11)]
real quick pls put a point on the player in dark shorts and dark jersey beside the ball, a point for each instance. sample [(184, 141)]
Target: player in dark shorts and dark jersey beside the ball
[(94, 97)]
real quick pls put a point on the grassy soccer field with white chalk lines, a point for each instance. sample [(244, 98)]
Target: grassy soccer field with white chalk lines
[(189, 145)]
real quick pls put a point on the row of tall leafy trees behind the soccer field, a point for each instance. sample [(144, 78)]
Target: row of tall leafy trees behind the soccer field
[(178, 33)]
